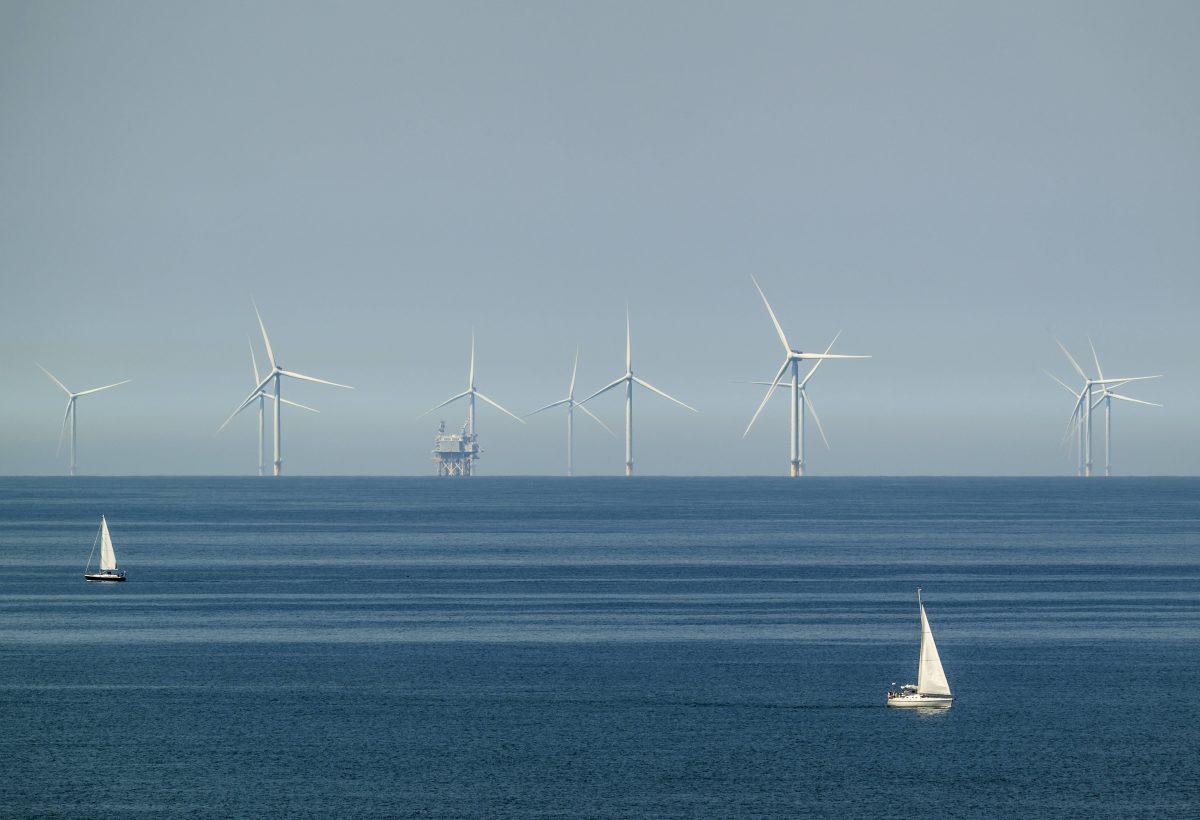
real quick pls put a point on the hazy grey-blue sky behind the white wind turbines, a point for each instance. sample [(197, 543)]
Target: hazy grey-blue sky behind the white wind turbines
[(950, 185)]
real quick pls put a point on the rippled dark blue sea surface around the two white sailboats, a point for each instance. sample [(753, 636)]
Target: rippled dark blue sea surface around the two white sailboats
[(513, 648)]
